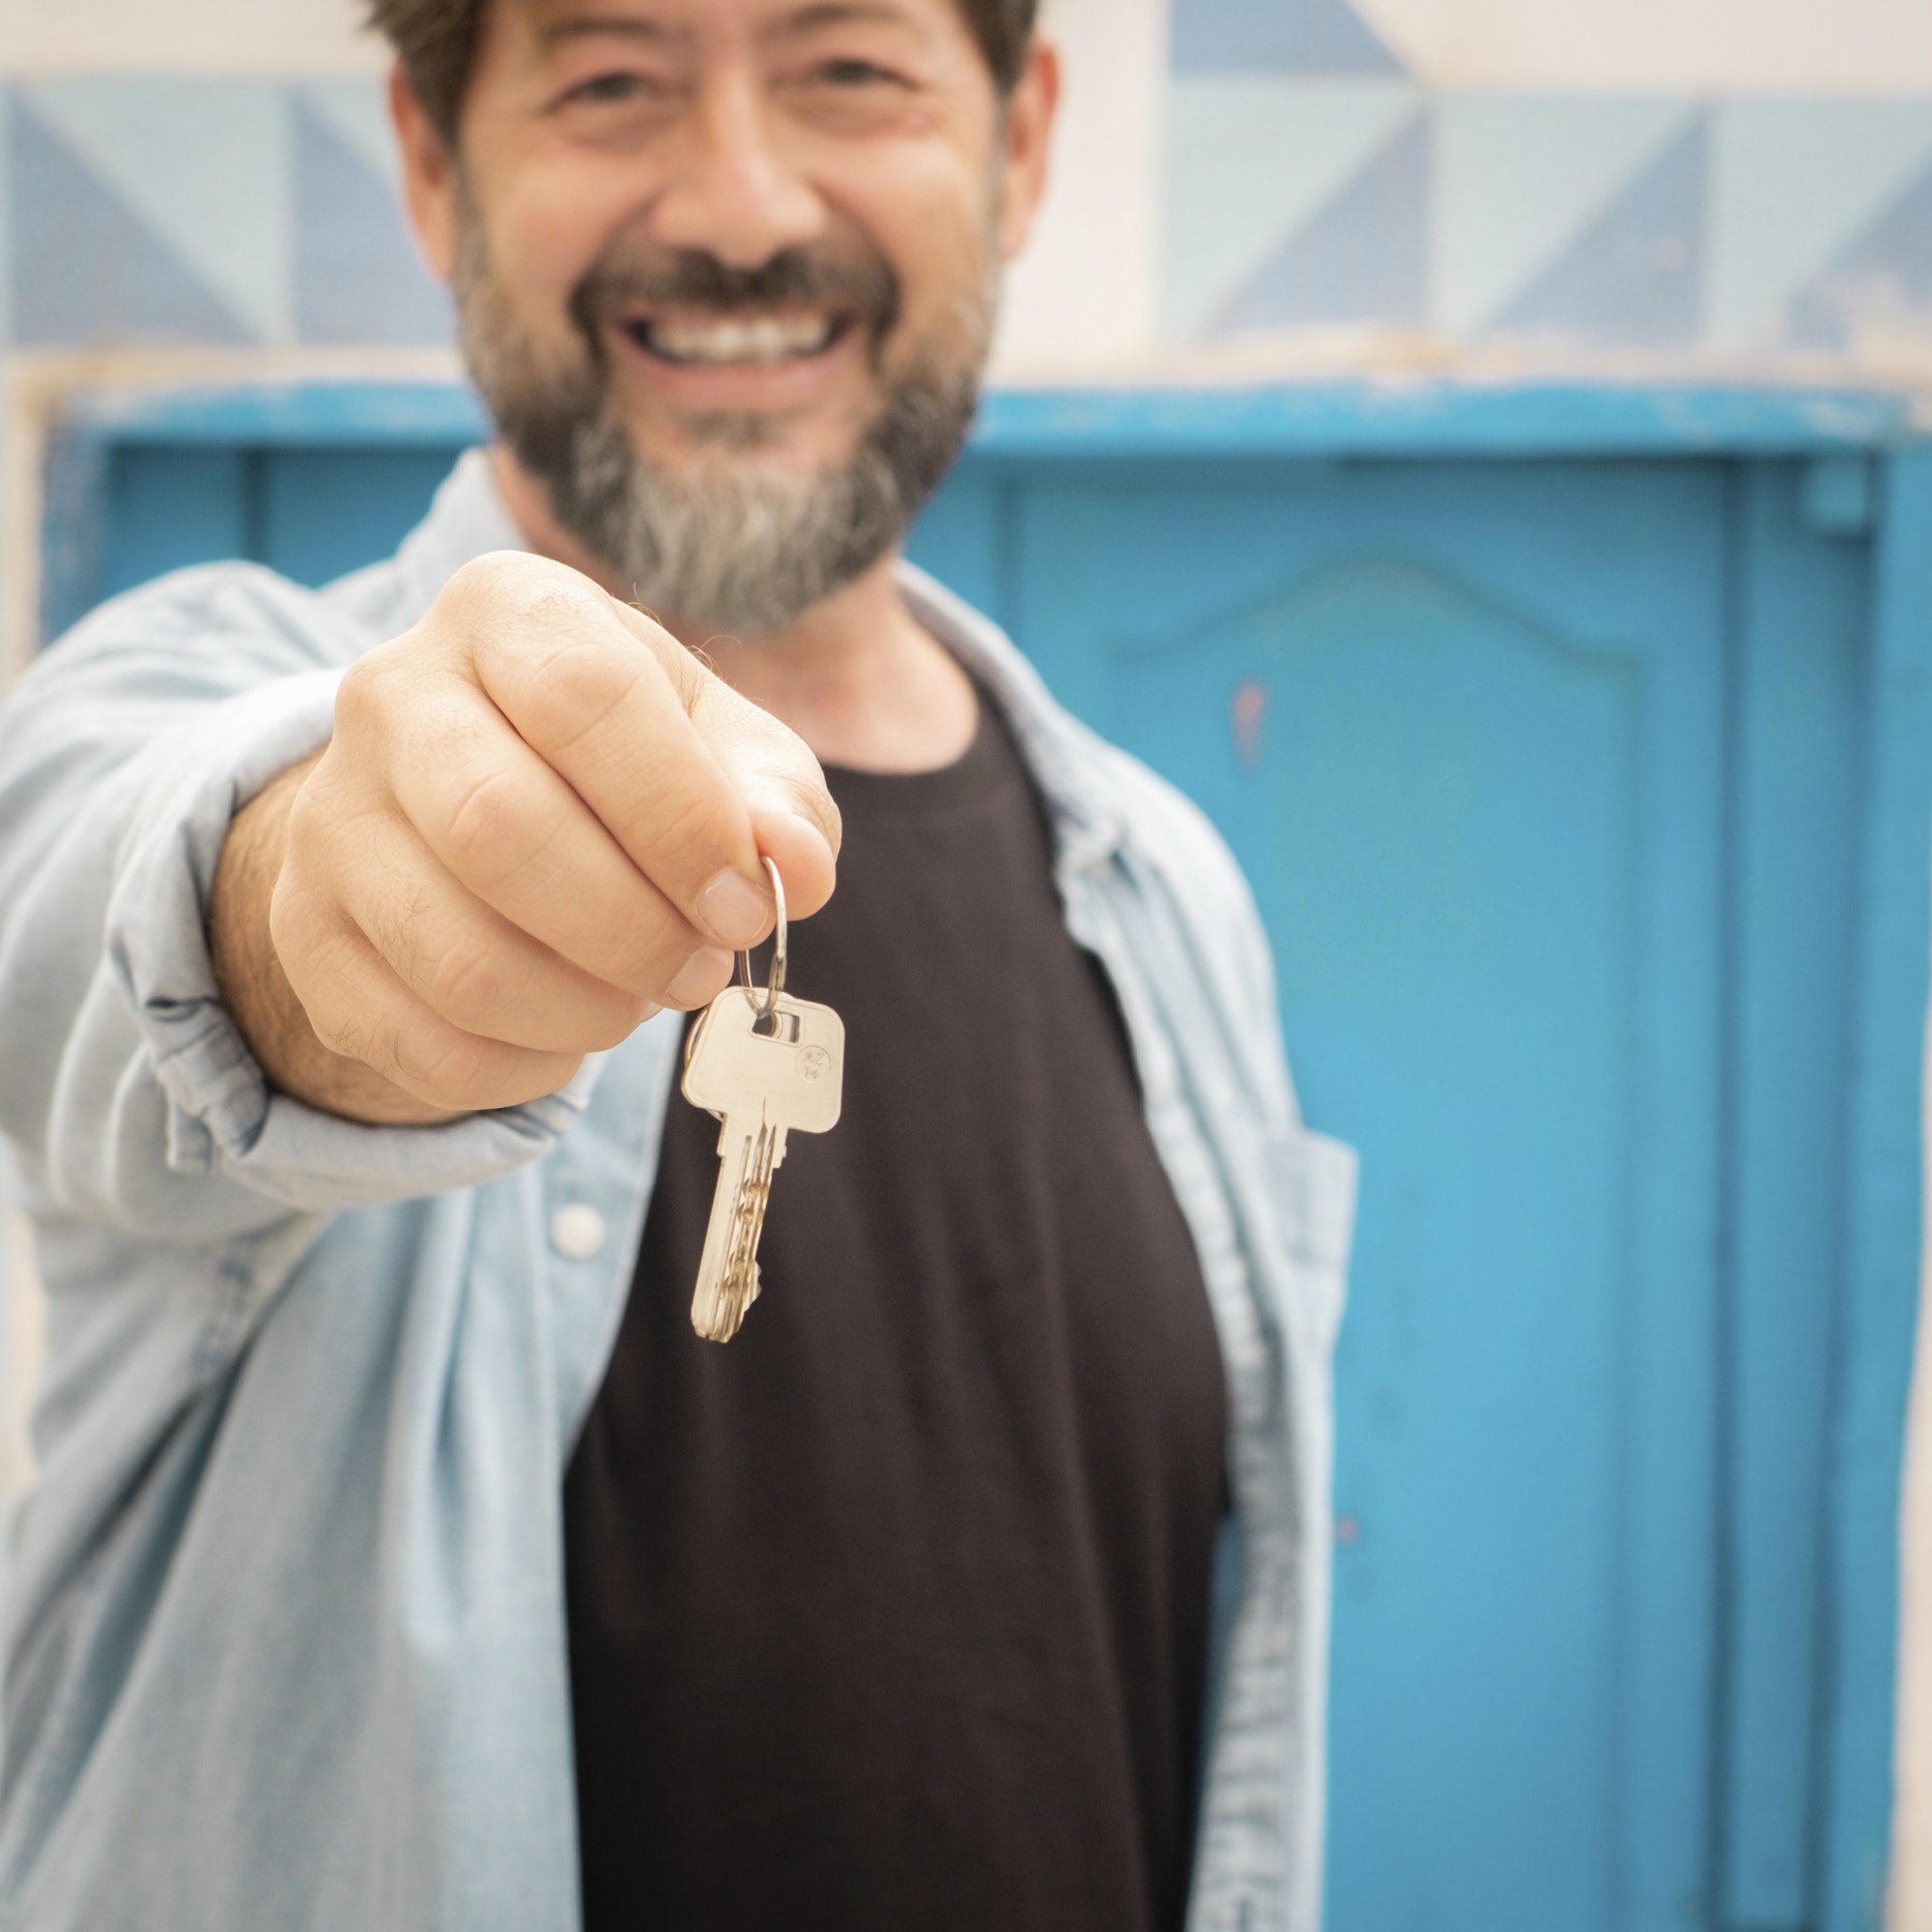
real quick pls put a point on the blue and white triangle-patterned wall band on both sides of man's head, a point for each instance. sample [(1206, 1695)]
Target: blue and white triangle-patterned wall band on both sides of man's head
[(1313, 186)]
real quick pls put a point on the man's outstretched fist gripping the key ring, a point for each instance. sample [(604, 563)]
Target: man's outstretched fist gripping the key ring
[(538, 822)]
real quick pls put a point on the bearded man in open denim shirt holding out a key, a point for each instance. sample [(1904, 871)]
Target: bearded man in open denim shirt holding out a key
[(401, 1558)]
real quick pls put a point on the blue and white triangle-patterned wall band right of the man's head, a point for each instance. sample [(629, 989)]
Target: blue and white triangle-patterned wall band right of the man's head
[(1315, 183)]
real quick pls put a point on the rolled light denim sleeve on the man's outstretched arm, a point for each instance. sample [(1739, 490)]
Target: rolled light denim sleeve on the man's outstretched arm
[(125, 1083)]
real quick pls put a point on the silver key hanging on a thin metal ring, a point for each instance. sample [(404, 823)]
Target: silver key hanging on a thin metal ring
[(766, 1065)]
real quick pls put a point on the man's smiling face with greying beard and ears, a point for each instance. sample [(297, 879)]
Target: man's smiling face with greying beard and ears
[(727, 275)]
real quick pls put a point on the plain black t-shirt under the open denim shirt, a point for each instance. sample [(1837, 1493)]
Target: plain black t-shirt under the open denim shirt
[(892, 1614)]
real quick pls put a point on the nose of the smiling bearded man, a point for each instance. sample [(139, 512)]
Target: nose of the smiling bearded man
[(735, 196)]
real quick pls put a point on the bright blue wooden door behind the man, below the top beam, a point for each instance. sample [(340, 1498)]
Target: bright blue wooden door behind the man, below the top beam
[(1556, 781)]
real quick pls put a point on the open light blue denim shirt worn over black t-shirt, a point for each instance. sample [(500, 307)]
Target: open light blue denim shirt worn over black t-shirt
[(285, 1639)]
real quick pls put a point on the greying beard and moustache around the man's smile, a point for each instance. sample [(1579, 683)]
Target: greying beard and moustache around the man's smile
[(731, 540)]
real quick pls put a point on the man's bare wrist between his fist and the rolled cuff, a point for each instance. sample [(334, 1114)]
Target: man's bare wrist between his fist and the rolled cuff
[(256, 988)]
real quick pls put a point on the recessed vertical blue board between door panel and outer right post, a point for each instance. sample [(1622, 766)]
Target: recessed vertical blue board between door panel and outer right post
[(1802, 623)]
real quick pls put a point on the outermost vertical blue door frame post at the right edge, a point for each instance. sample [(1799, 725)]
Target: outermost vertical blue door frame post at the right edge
[(1885, 1179)]
